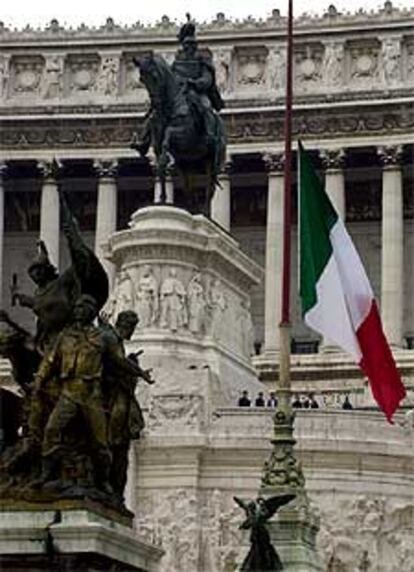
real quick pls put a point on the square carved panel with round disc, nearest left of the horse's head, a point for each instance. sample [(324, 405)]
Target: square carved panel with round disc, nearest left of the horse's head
[(82, 72)]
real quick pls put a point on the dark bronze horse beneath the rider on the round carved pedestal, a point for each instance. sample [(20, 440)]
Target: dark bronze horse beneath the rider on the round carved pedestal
[(178, 132)]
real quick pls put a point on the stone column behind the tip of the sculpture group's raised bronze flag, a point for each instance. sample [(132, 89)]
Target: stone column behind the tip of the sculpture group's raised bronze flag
[(50, 209)]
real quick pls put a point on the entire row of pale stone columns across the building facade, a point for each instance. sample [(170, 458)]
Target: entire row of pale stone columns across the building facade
[(333, 161)]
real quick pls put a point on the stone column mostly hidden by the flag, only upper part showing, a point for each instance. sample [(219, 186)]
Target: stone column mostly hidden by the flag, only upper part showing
[(333, 160)]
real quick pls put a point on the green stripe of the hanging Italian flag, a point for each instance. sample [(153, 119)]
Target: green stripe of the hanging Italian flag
[(317, 217)]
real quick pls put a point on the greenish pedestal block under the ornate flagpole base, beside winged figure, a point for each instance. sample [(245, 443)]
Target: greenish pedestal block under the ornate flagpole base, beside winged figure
[(294, 536)]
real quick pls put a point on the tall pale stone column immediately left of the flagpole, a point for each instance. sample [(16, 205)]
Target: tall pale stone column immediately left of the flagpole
[(274, 251)]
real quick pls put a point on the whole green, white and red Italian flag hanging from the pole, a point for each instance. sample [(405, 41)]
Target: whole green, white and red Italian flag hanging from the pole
[(337, 298)]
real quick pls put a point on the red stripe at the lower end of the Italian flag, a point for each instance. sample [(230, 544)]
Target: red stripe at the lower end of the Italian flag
[(378, 364)]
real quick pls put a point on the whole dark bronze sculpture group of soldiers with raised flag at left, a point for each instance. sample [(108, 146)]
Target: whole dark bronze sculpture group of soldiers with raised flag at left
[(79, 411)]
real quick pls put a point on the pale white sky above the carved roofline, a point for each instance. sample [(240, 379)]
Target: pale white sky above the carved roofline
[(18, 13)]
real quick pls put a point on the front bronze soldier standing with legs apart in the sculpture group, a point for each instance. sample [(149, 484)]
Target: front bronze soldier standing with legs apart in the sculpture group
[(77, 361)]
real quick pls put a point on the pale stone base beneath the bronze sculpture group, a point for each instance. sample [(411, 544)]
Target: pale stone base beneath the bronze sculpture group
[(52, 538)]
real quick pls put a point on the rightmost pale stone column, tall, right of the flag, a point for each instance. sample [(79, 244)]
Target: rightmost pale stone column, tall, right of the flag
[(392, 244)]
